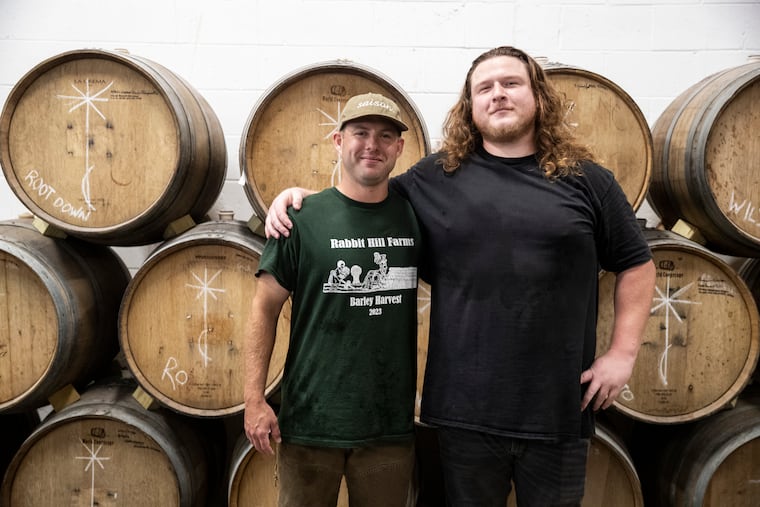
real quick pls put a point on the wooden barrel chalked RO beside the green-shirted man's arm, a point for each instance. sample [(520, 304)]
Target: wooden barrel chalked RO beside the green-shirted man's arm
[(183, 319)]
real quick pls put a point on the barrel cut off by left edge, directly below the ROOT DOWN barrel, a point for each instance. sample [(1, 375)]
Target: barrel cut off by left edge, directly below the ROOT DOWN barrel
[(58, 313)]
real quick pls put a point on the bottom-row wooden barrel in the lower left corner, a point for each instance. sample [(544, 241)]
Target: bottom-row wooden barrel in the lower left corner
[(106, 449)]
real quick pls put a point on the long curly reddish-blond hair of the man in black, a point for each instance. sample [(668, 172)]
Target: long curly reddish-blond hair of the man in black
[(558, 151)]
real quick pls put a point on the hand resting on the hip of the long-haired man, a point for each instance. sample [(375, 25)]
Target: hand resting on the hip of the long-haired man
[(606, 378)]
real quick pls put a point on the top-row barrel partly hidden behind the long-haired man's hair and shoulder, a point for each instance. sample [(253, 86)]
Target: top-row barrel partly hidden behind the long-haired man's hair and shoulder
[(608, 120)]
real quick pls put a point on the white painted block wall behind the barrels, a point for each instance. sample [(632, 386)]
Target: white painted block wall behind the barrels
[(232, 51)]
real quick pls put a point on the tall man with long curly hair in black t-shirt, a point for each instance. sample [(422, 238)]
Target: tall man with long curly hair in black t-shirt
[(518, 220)]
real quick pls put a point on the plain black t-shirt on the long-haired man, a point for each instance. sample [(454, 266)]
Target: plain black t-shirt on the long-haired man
[(513, 260)]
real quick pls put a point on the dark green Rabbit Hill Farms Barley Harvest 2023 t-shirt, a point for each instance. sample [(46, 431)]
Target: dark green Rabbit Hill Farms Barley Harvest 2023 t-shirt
[(350, 373)]
